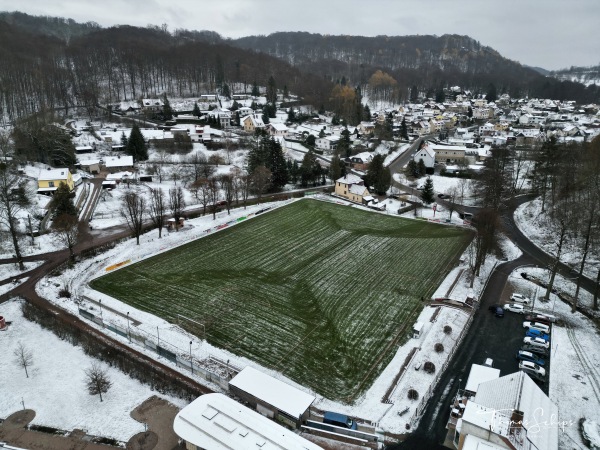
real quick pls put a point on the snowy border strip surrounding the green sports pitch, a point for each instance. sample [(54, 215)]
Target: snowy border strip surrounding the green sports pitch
[(369, 407)]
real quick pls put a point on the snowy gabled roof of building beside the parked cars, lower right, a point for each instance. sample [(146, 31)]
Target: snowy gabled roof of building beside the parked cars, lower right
[(518, 391)]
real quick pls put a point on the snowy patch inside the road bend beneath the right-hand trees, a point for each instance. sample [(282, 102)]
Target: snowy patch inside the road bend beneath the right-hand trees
[(536, 227)]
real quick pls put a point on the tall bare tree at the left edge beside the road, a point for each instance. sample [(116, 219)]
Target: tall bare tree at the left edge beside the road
[(14, 198)]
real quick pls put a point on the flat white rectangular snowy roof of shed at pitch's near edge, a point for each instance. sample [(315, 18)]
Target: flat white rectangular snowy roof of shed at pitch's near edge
[(282, 396)]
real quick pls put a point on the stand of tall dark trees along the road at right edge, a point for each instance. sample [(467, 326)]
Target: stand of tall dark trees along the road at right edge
[(567, 178)]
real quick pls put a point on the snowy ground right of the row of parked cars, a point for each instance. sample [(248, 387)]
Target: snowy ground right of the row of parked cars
[(574, 363)]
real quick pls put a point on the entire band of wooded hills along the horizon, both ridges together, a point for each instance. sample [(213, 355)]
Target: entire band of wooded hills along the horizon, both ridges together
[(58, 63)]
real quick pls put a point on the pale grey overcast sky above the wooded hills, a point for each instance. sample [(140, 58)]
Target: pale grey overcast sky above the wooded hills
[(552, 34)]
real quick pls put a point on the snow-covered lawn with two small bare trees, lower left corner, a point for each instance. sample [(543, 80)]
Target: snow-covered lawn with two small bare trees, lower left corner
[(56, 387)]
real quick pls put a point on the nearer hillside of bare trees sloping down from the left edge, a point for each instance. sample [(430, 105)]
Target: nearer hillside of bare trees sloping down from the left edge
[(123, 63)]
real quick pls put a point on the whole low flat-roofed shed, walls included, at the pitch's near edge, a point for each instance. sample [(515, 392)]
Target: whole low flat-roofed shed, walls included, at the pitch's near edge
[(272, 397)]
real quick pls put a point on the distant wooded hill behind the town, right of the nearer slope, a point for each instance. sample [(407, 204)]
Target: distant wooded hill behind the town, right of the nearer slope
[(427, 62)]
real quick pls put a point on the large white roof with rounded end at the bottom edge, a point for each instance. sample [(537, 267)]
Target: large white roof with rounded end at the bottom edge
[(217, 422)]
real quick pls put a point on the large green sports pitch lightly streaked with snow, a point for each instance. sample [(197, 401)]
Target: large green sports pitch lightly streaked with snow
[(313, 290)]
